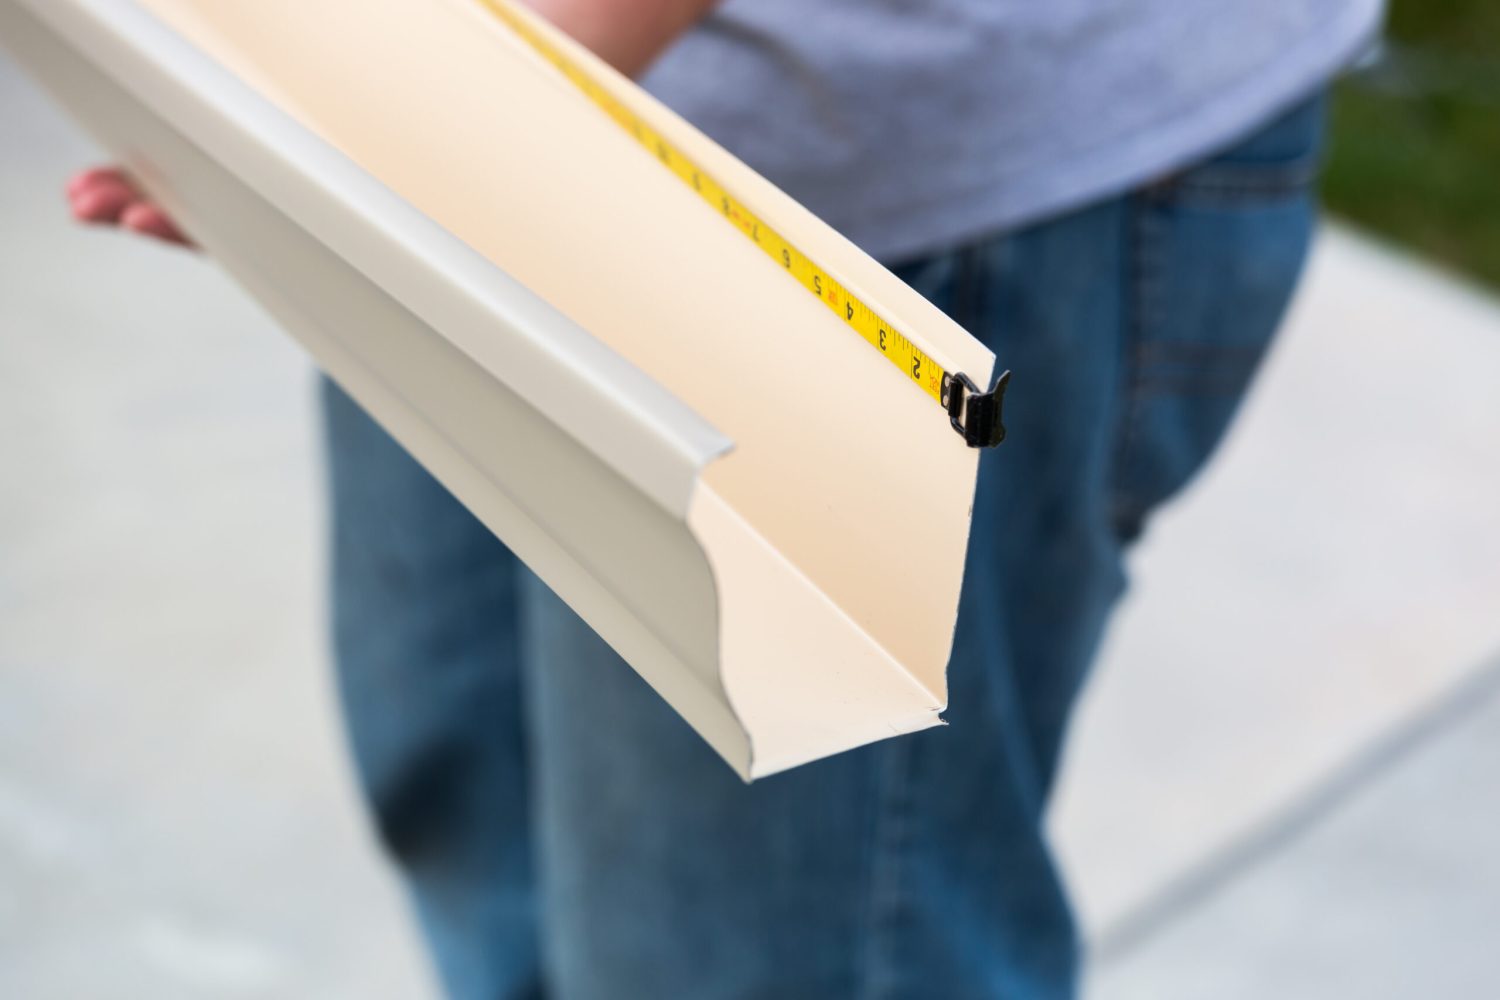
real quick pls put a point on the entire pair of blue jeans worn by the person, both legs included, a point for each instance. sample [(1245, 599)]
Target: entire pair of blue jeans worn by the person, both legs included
[(565, 834)]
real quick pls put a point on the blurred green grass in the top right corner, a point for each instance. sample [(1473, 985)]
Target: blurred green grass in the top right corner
[(1417, 140)]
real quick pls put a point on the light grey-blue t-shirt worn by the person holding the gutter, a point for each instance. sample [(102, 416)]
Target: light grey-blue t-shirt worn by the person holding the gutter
[(916, 125)]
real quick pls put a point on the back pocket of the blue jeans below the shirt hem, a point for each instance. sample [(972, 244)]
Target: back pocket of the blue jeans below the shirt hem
[(1216, 254)]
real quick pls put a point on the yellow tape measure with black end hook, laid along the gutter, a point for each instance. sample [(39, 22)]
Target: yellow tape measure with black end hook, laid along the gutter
[(973, 413)]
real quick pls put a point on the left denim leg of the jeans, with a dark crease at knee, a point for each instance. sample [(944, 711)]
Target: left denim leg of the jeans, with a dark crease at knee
[(427, 644)]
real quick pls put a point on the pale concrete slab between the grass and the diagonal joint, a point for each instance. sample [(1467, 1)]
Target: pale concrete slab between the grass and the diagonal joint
[(1336, 570)]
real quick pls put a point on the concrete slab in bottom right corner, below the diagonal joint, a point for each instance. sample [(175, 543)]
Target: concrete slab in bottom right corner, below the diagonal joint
[(1388, 893)]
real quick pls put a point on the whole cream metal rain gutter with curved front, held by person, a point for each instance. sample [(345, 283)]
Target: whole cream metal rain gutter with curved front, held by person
[(781, 567)]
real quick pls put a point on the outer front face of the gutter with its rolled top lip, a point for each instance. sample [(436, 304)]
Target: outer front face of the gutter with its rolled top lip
[(515, 409)]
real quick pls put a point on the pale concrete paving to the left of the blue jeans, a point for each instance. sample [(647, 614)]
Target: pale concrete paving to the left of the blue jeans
[(176, 809)]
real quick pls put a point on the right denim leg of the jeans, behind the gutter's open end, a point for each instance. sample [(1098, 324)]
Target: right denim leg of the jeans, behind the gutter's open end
[(919, 867)]
